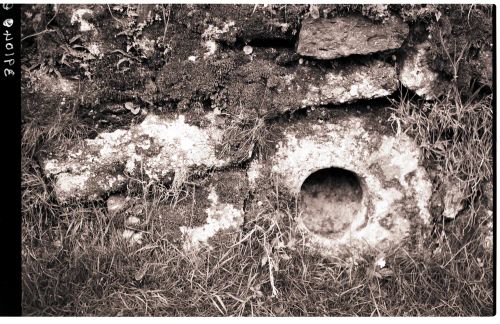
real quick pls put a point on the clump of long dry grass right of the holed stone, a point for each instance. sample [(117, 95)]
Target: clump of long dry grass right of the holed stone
[(456, 135)]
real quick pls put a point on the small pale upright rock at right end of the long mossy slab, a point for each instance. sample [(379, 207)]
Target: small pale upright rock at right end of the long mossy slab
[(418, 76)]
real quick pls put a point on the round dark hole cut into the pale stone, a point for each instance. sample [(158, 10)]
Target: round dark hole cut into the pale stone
[(331, 200)]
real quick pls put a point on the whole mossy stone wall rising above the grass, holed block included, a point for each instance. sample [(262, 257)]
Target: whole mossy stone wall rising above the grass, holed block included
[(239, 100)]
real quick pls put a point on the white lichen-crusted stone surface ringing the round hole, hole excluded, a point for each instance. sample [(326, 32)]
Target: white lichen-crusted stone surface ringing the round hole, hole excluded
[(396, 189)]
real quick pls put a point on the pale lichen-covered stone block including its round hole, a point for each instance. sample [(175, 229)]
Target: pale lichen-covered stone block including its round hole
[(373, 196)]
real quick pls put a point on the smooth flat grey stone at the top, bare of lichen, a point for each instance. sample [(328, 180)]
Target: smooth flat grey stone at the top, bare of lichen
[(329, 39)]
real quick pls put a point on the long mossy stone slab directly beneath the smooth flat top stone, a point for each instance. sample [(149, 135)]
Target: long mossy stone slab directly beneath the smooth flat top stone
[(262, 88)]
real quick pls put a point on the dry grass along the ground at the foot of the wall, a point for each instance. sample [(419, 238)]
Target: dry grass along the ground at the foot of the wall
[(76, 263)]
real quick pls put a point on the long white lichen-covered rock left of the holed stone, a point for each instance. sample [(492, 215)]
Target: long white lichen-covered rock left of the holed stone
[(158, 149)]
